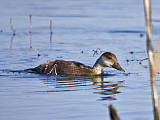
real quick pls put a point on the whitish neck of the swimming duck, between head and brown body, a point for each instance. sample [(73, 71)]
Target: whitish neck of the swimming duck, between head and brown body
[(98, 68)]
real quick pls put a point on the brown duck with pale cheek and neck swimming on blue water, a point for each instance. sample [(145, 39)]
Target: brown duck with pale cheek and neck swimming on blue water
[(62, 67)]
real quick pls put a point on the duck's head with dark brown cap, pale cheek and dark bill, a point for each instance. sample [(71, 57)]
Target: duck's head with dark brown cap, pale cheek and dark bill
[(108, 59)]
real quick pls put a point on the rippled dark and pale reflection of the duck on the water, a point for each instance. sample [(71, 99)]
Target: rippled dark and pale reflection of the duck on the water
[(106, 89)]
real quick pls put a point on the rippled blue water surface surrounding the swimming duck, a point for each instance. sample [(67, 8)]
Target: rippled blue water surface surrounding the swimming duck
[(79, 27)]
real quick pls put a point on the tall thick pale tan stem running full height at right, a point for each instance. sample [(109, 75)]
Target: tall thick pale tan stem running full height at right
[(153, 67)]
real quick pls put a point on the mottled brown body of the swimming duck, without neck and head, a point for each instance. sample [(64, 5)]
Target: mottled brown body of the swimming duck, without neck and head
[(61, 67)]
